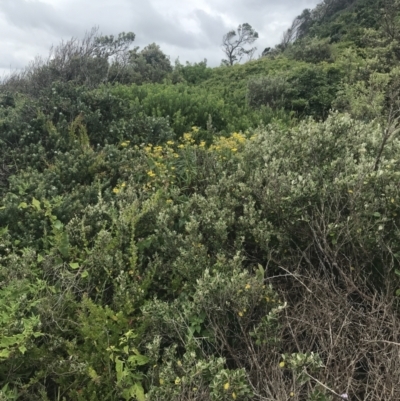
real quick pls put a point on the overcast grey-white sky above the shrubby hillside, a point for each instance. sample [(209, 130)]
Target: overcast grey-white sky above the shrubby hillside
[(189, 29)]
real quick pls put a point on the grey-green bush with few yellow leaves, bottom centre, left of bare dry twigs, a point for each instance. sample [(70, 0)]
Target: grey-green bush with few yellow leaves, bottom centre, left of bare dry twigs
[(224, 307)]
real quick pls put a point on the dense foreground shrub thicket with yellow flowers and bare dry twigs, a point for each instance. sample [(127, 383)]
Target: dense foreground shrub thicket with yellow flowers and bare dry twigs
[(179, 277)]
